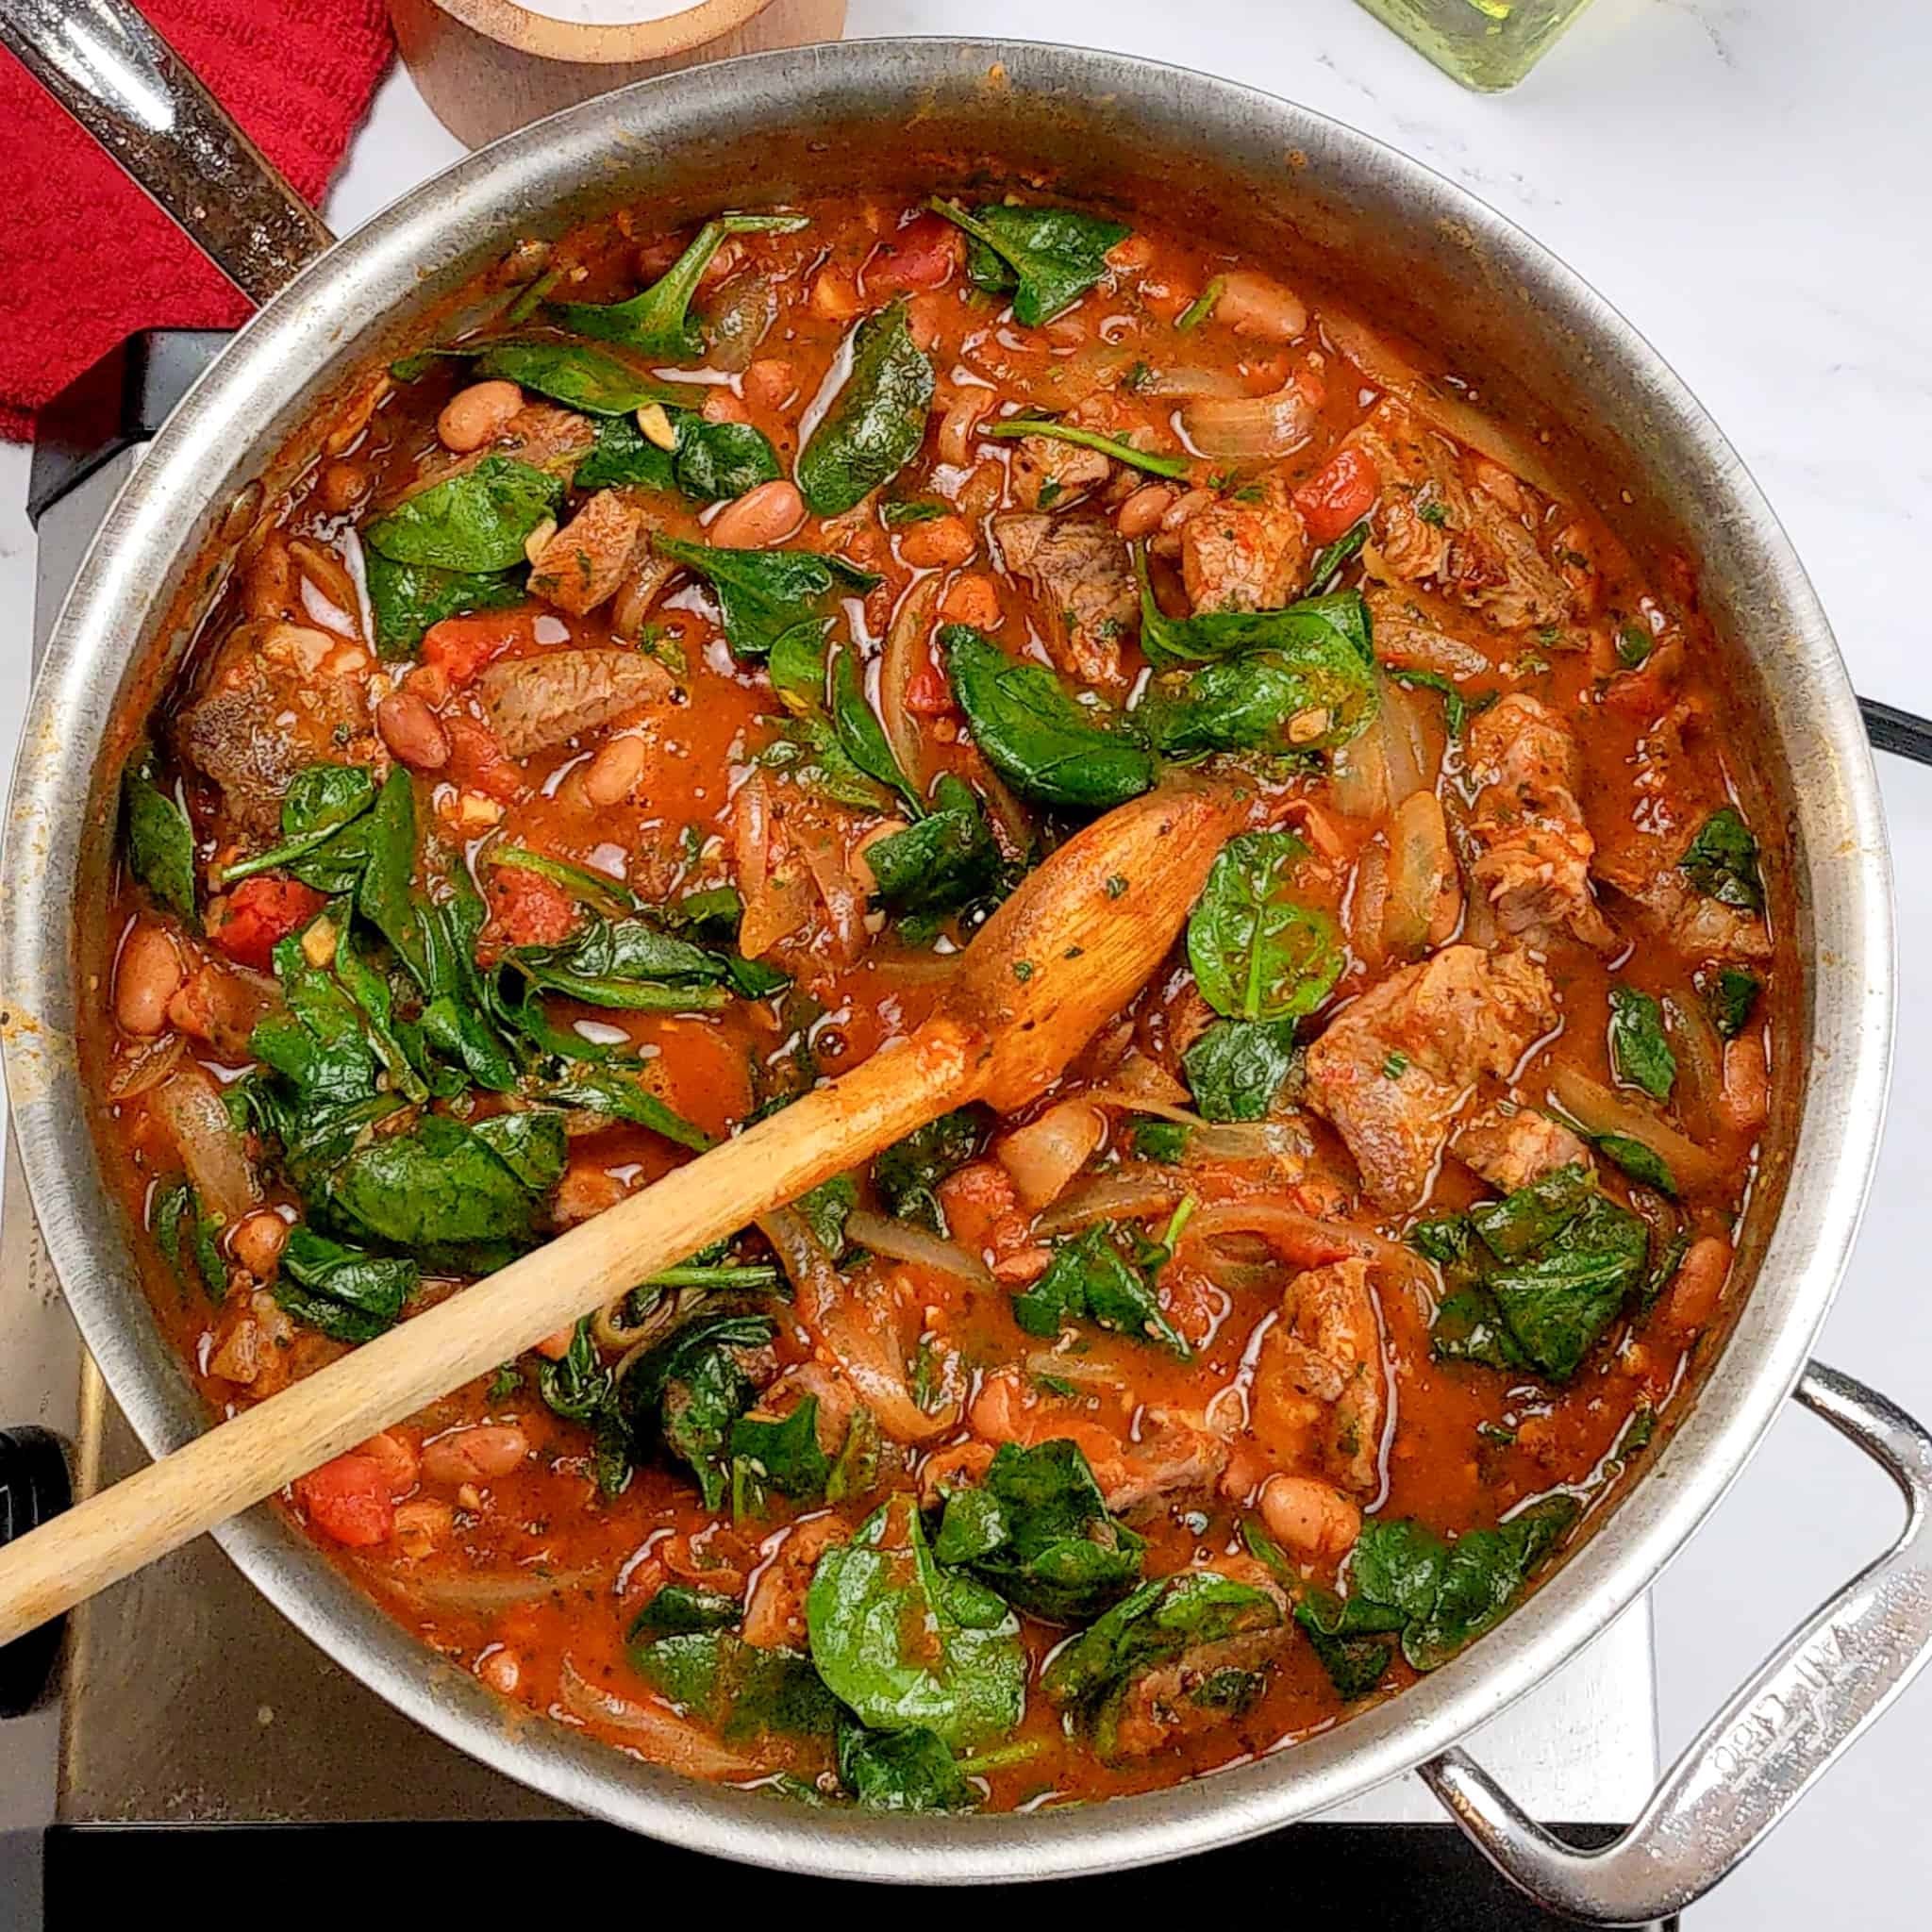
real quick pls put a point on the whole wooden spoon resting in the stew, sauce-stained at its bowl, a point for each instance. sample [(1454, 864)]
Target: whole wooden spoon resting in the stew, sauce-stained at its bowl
[(1058, 961)]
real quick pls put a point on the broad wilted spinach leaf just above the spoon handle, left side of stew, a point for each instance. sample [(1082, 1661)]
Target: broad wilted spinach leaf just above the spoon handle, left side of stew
[(441, 1193)]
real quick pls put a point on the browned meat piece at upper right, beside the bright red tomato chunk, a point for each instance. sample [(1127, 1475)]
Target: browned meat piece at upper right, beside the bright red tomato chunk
[(1433, 525)]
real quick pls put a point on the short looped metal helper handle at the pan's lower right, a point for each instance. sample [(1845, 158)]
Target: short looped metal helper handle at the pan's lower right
[(1838, 1672)]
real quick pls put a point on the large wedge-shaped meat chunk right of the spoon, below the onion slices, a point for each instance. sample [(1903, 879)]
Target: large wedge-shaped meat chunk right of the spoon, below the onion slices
[(1398, 1065)]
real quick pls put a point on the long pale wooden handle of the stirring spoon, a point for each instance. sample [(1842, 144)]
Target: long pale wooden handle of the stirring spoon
[(258, 1452)]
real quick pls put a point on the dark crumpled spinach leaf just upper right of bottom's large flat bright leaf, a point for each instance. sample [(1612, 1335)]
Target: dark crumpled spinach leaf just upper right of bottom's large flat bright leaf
[(1038, 1533)]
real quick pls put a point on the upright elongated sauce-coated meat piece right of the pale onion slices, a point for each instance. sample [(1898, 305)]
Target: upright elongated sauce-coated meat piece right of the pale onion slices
[(1533, 847)]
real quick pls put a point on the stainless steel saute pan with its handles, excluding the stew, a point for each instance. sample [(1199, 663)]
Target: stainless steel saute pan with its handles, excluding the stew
[(1274, 177)]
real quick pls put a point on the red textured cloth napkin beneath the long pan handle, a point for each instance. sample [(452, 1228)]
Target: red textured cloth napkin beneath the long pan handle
[(86, 258)]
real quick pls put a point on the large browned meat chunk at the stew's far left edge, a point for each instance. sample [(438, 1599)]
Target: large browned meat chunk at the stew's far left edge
[(268, 710)]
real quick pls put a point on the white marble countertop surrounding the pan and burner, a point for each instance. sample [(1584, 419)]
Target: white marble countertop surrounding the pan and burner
[(1749, 183)]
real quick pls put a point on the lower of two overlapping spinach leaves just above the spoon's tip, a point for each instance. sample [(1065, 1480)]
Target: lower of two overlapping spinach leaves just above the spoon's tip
[(1280, 702)]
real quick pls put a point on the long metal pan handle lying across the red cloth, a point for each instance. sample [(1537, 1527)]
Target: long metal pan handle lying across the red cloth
[(103, 63)]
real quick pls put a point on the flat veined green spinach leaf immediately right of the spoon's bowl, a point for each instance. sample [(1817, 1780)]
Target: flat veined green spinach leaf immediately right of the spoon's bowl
[(1257, 953)]
